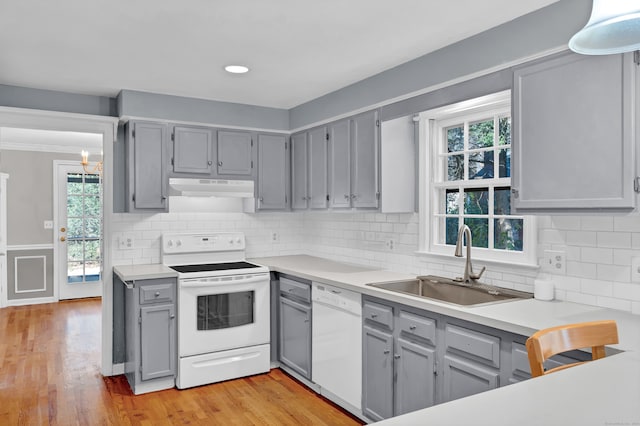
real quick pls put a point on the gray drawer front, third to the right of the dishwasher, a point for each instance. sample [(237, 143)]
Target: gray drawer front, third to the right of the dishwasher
[(479, 345)]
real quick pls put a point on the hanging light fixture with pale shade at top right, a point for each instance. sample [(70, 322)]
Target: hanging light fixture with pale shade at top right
[(614, 27)]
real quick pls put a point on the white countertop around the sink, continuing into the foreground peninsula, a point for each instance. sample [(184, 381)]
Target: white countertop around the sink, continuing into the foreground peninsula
[(603, 392)]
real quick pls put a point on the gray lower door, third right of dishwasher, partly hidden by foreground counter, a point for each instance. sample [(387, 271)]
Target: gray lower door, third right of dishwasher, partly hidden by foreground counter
[(463, 377)]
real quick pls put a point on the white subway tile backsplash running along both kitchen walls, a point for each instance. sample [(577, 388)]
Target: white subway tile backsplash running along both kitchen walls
[(599, 248)]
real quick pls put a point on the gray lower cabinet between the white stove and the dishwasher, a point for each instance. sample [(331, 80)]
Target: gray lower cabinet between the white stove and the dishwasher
[(295, 325)]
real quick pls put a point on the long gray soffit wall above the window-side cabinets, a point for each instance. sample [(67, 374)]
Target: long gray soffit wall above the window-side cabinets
[(539, 31)]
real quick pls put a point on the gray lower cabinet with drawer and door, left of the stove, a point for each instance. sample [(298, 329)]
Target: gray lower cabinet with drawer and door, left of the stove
[(150, 334)]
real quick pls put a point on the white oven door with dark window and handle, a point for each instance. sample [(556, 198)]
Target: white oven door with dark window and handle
[(221, 313)]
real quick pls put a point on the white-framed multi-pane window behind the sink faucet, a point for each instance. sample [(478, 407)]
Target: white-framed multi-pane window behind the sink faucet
[(469, 173)]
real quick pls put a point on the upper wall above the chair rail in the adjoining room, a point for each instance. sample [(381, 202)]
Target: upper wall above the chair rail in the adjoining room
[(30, 194)]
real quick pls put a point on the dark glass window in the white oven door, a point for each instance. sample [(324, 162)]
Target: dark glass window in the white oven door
[(218, 311)]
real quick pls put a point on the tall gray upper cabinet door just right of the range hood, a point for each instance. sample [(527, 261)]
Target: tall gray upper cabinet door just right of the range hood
[(273, 172)]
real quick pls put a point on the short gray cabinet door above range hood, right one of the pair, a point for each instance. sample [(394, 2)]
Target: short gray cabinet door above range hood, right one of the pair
[(235, 153)]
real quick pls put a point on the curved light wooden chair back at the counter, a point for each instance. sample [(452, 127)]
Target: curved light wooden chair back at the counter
[(551, 341)]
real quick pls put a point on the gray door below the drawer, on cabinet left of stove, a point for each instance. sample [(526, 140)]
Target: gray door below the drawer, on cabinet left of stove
[(157, 341)]
